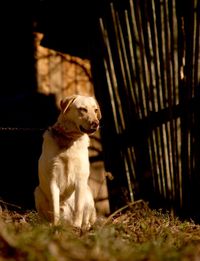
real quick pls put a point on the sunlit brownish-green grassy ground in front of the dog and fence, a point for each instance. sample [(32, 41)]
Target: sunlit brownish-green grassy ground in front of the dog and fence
[(135, 233)]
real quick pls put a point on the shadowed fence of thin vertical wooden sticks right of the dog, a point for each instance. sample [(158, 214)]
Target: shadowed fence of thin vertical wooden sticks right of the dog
[(148, 85)]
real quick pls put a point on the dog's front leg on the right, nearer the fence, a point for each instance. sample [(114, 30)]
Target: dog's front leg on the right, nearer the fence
[(80, 191)]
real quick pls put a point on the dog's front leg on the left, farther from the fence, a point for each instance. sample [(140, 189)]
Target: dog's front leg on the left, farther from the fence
[(55, 195)]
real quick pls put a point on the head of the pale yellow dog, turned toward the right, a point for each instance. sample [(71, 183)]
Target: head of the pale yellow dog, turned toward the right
[(82, 111)]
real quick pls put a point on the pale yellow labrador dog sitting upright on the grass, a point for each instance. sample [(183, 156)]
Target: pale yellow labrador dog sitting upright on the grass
[(63, 168)]
